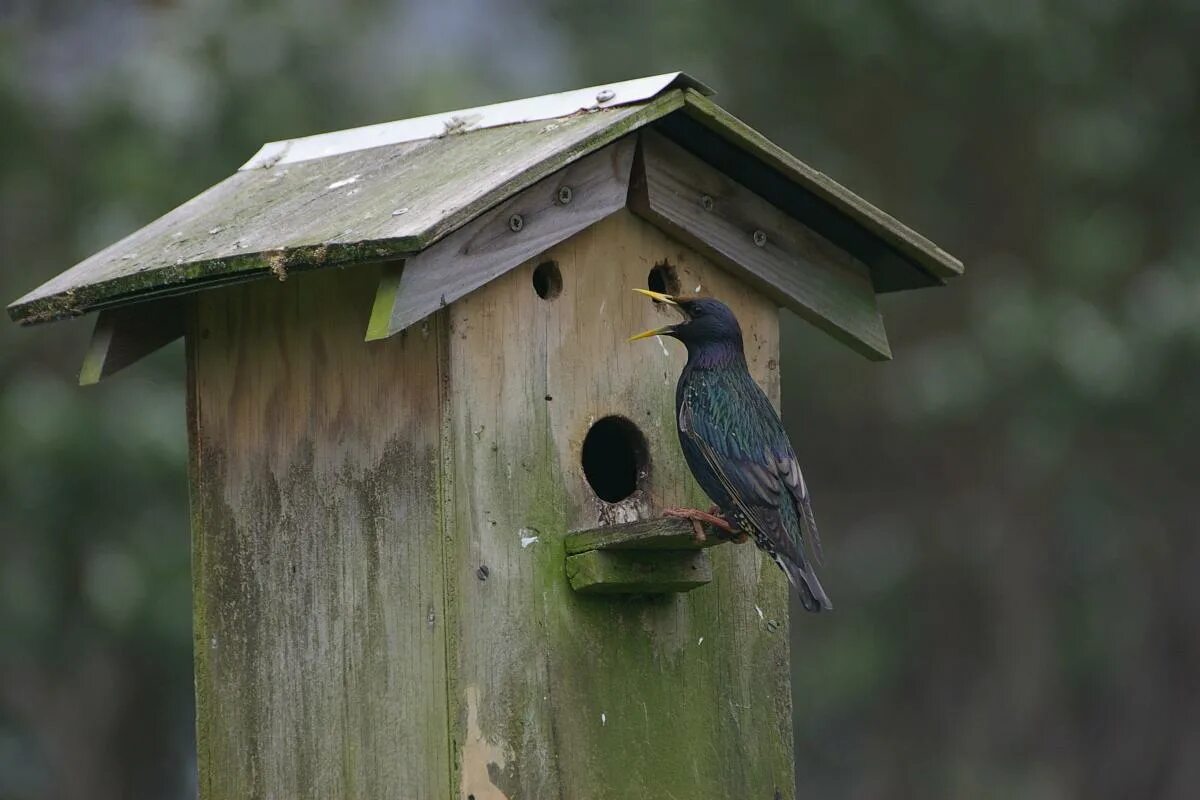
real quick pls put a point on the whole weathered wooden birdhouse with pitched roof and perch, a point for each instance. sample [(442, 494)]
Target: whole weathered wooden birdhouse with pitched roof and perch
[(428, 470)]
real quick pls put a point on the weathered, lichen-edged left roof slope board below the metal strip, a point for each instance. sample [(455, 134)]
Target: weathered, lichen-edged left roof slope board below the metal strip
[(367, 206)]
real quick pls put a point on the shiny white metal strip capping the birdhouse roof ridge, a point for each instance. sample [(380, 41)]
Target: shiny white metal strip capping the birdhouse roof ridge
[(473, 119)]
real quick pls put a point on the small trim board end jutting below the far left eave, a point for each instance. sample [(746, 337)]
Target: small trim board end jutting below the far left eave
[(124, 336)]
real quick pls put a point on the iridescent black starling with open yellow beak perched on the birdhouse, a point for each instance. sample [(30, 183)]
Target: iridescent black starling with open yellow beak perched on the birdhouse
[(736, 446)]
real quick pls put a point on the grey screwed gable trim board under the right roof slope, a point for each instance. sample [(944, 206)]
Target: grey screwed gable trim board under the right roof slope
[(776, 254)]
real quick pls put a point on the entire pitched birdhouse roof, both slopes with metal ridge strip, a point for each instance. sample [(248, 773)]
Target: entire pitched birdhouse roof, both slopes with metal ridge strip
[(391, 191)]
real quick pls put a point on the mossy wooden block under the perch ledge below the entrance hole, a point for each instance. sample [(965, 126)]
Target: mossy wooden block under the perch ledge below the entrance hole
[(638, 573)]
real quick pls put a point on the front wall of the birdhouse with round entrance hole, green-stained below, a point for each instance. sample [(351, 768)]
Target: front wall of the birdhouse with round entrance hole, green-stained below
[(556, 694)]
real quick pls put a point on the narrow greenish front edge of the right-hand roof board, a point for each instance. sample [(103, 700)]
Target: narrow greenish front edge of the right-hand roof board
[(907, 240)]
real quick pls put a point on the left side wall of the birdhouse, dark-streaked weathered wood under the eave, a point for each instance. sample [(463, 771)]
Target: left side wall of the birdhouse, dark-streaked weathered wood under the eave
[(321, 625)]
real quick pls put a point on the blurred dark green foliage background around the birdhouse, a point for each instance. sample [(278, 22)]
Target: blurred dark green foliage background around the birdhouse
[(1009, 507)]
